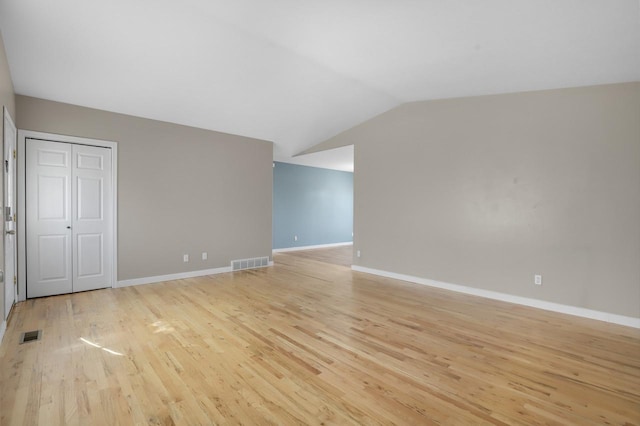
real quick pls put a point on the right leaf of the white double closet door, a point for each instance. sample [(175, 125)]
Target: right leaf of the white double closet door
[(93, 222)]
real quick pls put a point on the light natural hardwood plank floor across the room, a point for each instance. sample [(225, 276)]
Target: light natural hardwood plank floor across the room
[(309, 342)]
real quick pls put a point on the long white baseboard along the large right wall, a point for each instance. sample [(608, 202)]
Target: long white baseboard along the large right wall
[(526, 301)]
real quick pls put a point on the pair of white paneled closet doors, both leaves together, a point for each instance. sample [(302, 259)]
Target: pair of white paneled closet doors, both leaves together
[(69, 219)]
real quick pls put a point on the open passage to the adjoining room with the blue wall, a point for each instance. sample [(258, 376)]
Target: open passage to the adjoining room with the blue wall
[(313, 204)]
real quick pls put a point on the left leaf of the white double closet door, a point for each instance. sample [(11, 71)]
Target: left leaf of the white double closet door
[(48, 218)]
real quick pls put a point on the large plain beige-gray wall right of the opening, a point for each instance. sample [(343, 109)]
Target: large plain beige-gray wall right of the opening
[(488, 191)]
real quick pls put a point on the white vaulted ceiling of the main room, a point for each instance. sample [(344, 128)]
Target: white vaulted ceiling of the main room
[(297, 72)]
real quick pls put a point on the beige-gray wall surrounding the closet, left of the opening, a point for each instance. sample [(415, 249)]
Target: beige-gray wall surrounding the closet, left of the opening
[(180, 189)]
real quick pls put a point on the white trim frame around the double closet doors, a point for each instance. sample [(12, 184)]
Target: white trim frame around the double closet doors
[(23, 135)]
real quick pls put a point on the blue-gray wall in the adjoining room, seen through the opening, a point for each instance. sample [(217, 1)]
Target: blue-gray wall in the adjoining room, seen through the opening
[(312, 203)]
